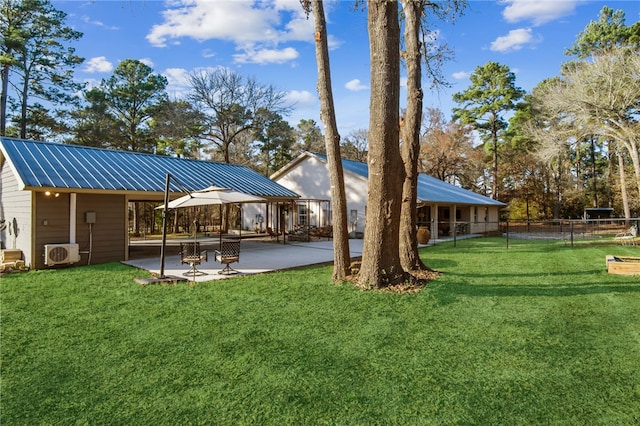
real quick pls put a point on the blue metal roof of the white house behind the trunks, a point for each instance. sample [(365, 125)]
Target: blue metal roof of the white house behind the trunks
[(430, 189)]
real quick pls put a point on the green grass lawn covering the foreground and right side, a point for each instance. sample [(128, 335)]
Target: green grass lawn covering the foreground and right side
[(536, 334)]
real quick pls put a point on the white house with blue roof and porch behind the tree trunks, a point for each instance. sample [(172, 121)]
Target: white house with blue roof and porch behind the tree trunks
[(441, 206)]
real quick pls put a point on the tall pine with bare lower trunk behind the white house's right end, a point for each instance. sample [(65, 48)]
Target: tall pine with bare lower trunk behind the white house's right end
[(492, 93)]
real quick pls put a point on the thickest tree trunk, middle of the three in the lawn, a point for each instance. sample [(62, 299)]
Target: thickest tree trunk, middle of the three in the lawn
[(380, 253)]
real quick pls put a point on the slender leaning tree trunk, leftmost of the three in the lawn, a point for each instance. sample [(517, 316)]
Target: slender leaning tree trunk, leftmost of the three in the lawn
[(341, 256)]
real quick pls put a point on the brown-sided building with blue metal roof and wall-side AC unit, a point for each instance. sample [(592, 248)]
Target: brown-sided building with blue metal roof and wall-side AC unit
[(67, 204)]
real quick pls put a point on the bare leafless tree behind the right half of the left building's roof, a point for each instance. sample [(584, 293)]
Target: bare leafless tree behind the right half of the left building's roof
[(229, 103)]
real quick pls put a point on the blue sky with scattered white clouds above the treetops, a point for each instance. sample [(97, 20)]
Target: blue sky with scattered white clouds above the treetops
[(273, 41)]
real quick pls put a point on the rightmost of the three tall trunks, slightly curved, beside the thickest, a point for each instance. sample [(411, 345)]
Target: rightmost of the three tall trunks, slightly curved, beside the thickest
[(410, 132)]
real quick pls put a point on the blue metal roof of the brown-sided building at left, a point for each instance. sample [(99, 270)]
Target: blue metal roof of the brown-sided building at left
[(56, 165)]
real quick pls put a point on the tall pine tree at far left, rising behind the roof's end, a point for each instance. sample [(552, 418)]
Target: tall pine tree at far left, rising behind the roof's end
[(35, 61)]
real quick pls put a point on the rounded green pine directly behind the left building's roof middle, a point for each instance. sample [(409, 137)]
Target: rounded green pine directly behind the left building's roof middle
[(133, 94)]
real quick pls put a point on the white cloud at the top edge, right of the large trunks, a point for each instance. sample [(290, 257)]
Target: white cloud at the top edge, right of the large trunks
[(537, 11)]
